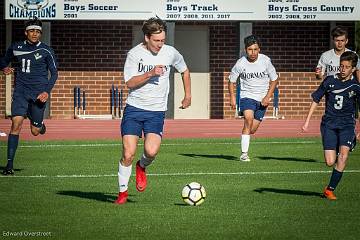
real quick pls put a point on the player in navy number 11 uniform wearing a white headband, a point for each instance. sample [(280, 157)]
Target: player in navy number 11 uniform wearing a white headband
[(32, 84)]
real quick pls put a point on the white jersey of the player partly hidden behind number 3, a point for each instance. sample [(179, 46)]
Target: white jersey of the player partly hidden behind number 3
[(330, 62)]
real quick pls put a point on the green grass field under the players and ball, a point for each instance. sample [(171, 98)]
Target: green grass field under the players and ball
[(65, 190)]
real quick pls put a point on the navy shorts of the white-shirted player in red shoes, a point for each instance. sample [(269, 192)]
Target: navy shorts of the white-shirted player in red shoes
[(136, 121)]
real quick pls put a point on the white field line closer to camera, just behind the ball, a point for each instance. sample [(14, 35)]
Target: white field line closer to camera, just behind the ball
[(185, 174)]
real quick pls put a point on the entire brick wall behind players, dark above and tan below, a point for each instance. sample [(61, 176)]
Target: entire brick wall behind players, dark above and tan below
[(91, 55)]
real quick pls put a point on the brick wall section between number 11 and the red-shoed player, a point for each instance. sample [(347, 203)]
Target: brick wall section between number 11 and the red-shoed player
[(91, 55)]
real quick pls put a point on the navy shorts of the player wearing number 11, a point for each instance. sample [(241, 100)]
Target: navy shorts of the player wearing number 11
[(25, 104)]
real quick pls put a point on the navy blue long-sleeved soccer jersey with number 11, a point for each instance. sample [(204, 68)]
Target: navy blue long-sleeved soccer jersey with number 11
[(33, 63)]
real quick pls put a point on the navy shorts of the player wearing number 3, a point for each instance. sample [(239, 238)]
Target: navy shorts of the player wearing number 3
[(332, 138)]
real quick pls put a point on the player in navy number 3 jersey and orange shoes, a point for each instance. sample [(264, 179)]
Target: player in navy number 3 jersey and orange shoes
[(337, 128)]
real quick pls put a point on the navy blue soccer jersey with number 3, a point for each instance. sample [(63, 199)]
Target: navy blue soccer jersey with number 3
[(340, 98)]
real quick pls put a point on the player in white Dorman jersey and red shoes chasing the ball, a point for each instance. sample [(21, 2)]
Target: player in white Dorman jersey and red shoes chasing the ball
[(146, 74)]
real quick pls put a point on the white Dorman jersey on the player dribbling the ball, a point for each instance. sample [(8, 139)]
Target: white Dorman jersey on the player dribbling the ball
[(153, 95)]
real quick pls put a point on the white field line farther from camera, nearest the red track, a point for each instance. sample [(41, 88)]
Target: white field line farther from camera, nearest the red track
[(163, 144)]
